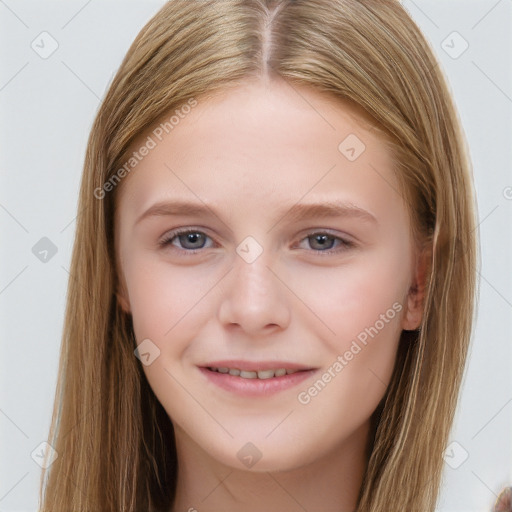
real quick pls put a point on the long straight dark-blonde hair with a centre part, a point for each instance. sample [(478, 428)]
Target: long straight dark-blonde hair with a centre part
[(114, 441)]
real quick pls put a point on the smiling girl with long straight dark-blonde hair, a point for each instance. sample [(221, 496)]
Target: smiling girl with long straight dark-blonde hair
[(274, 268)]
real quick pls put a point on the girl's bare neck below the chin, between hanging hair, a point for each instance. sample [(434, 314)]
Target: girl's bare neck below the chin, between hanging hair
[(331, 483)]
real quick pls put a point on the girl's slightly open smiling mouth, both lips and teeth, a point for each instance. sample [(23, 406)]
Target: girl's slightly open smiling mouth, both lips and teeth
[(255, 379)]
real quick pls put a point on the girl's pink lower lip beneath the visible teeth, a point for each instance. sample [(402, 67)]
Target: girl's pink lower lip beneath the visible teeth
[(256, 387)]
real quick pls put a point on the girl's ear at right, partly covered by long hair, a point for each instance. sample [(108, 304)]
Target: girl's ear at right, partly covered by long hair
[(417, 291)]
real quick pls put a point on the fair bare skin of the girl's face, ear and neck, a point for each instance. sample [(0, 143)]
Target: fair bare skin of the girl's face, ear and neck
[(250, 154)]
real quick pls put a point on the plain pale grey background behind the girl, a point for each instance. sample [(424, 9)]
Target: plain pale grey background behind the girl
[(47, 108)]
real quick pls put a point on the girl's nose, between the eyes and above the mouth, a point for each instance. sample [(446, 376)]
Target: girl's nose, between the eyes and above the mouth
[(254, 300)]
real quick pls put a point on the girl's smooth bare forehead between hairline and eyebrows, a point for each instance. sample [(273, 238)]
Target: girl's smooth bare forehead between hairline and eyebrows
[(262, 141)]
